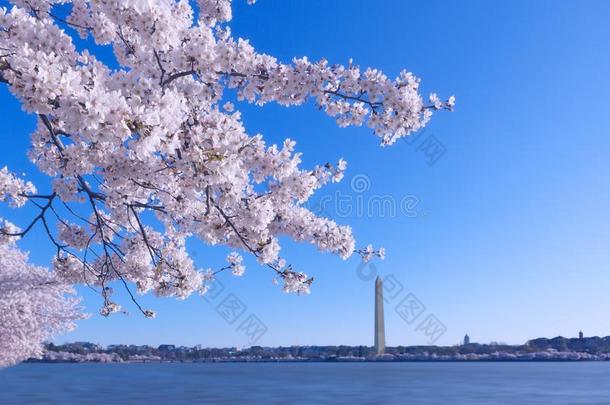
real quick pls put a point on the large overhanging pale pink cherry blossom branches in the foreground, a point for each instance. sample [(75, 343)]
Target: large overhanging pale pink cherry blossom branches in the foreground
[(145, 152)]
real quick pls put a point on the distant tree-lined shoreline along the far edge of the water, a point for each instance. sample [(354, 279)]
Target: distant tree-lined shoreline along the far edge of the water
[(557, 349)]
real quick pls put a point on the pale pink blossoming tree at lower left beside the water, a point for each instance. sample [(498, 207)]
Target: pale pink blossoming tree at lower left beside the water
[(34, 305)]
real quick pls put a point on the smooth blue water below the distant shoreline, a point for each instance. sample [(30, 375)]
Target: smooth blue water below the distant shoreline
[(308, 383)]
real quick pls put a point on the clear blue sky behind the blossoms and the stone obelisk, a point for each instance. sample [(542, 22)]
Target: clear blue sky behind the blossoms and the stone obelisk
[(511, 236)]
